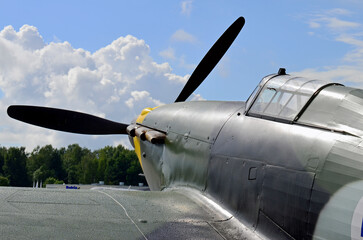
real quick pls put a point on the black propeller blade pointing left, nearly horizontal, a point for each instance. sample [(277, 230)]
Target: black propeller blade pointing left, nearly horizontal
[(65, 120)]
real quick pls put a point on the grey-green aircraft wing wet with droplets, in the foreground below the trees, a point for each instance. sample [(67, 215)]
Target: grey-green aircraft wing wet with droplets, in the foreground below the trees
[(110, 214)]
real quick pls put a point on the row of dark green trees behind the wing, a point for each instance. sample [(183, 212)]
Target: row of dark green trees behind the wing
[(71, 165)]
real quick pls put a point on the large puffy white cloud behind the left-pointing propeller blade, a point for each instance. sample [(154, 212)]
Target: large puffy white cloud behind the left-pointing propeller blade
[(115, 82)]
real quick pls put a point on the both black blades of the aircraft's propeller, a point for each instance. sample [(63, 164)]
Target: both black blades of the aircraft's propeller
[(77, 122)]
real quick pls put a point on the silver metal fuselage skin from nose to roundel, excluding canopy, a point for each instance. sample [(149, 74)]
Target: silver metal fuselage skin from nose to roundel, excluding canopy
[(280, 179)]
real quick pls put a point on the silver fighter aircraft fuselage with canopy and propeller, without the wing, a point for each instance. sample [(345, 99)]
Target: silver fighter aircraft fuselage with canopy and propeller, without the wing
[(287, 163)]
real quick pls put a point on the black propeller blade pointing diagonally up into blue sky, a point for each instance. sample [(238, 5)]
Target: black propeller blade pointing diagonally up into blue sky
[(211, 59)]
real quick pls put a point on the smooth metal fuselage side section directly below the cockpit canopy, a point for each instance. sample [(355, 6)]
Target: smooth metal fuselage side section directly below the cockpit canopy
[(278, 197)]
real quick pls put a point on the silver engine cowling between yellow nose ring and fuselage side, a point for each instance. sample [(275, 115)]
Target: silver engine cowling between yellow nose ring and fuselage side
[(184, 157)]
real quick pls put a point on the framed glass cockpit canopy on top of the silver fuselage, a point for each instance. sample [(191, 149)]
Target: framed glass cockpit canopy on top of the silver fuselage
[(282, 97)]
